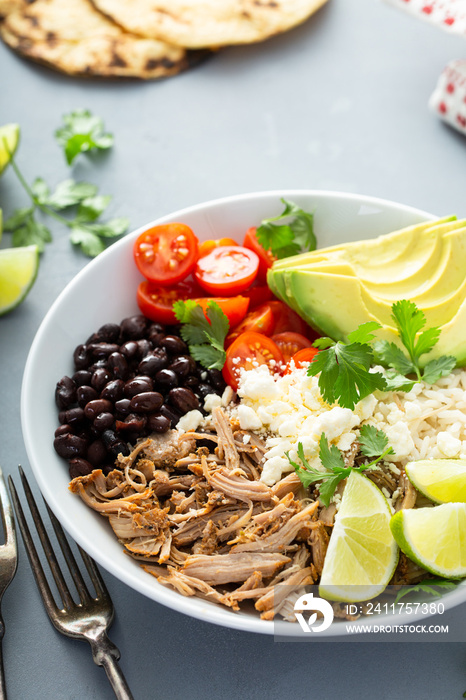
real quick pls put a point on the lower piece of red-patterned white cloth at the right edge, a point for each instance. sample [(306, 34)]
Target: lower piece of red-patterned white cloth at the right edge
[(448, 100)]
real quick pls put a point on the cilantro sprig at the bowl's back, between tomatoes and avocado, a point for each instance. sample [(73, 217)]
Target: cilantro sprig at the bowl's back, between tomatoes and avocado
[(284, 240)]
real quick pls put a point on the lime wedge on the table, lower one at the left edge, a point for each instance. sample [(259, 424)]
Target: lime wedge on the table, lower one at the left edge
[(18, 270)]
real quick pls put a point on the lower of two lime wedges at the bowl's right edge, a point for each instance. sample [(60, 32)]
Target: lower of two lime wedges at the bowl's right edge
[(435, 538)]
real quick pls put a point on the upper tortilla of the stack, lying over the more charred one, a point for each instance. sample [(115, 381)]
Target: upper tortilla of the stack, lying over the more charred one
[(208, 23)]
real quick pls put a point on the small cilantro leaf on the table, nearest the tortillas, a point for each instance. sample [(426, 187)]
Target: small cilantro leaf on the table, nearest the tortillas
[(82, 132)]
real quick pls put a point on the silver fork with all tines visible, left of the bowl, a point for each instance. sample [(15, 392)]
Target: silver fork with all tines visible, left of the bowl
[(91, 617)]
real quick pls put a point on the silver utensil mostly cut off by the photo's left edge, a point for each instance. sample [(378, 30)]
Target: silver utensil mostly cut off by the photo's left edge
[(8, 562)]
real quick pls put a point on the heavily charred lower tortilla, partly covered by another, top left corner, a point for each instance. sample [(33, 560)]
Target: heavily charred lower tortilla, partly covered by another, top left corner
[(74, 38)]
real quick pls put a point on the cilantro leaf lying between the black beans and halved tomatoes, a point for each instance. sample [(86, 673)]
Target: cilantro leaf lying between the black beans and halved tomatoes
[(204, 333)]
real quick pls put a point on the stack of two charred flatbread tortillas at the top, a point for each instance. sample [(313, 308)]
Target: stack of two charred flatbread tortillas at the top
[(140, 38)]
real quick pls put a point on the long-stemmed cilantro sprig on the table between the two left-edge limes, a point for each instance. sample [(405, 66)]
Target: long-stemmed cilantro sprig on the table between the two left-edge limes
[(81, 203)]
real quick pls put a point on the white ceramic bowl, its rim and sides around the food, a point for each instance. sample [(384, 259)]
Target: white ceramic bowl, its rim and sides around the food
[(105, 291)]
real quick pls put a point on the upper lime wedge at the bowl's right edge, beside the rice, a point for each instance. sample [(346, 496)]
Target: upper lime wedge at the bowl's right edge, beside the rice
[(441, 480)]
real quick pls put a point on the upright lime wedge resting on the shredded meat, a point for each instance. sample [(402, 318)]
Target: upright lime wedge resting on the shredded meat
[(362, 554)]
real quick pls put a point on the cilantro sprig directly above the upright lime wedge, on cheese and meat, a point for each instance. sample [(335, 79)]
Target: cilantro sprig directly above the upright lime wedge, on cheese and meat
[(373, 443)]
